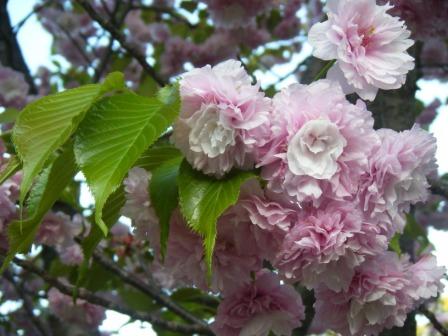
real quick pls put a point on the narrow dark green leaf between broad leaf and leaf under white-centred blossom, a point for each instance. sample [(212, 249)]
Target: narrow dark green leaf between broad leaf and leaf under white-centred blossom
[(164, 196)]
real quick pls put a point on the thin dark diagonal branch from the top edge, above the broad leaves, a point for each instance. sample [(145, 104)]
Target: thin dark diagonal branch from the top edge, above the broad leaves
[(117, 35)]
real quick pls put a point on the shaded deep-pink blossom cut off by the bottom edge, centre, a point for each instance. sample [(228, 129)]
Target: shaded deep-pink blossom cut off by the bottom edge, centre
[(260, 307)]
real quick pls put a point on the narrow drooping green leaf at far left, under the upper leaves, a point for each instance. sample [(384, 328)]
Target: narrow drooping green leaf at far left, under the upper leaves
[(46, 191)]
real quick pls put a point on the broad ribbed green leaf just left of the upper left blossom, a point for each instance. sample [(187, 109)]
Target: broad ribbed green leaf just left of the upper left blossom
[(114, 134)]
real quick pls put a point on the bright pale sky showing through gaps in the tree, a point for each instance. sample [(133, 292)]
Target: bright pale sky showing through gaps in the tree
[(36, 44)]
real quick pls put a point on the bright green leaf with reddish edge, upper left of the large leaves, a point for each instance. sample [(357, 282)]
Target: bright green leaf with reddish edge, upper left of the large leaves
[(46, 124)]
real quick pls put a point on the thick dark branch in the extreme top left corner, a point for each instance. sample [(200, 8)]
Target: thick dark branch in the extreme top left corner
[(10, 52)]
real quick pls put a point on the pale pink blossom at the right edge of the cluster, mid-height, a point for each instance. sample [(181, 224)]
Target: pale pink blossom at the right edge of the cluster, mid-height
[(397, 176)]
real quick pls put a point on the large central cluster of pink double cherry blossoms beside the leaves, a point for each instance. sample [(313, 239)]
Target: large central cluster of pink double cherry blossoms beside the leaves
[(336, 192)]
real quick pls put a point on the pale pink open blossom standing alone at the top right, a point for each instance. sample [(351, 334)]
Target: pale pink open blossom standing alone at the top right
[(369, 46)]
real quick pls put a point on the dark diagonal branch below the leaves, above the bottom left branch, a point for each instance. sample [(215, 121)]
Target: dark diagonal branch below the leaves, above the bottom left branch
[(148, 289)]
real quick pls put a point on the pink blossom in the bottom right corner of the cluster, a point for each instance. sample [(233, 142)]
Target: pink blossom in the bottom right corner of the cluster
[(382, 292)]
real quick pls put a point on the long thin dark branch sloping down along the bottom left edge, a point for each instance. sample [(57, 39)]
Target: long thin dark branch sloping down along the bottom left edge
[(100, 301)]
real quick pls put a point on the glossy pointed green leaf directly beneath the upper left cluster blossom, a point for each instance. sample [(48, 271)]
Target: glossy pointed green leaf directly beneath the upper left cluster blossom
[(203, 199)]
